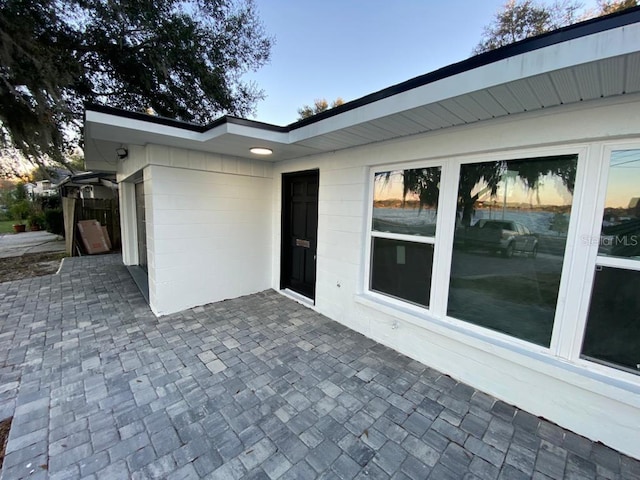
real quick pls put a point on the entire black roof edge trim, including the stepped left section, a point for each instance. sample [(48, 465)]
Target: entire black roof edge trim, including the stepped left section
[(571, 32)]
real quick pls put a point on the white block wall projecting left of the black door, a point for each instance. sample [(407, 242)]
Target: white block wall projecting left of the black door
[(208, 226)]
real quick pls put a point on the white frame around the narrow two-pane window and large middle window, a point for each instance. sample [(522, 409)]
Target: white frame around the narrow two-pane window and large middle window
[(443, 243)]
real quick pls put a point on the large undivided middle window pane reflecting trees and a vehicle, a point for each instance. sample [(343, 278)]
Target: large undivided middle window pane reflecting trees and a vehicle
[(509, 244)]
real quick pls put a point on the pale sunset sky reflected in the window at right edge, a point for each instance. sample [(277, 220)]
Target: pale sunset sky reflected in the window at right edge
[(624, 178)]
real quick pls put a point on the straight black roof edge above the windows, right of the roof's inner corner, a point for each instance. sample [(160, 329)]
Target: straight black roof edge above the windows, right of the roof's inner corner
[(571, 32)]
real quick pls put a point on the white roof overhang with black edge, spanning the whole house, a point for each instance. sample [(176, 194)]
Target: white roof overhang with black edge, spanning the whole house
[(594, 59)]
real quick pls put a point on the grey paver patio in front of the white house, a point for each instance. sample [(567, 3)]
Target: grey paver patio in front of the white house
[(258, 387)]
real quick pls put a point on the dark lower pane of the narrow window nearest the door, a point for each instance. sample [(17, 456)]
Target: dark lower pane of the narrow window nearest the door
[(402, 269)]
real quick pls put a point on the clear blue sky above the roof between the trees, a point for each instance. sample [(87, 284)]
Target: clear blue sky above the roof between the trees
[(350, 48)]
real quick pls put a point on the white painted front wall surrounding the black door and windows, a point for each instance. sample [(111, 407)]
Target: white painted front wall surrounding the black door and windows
[(598, 402)]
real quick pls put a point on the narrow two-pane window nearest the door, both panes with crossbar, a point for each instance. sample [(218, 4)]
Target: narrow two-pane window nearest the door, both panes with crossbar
[(403, 231)]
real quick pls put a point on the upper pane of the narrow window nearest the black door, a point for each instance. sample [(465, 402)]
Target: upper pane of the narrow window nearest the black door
[(405, 201)]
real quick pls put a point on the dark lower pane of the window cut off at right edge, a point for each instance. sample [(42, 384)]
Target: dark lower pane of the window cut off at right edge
[(613, 327)]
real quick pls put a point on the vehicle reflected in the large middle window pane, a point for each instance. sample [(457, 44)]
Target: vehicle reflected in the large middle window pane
[(499, 235)]
